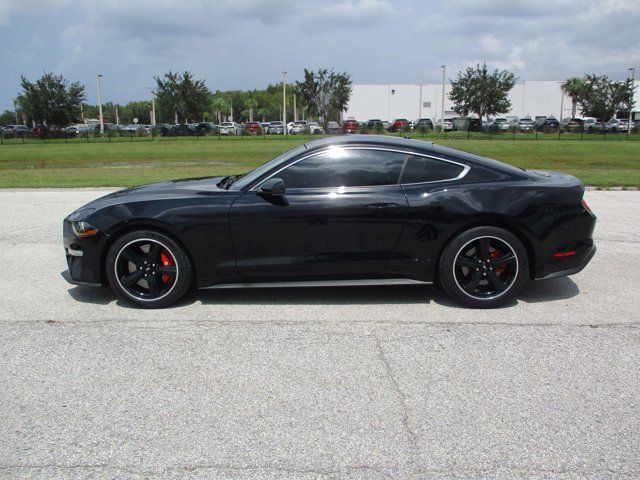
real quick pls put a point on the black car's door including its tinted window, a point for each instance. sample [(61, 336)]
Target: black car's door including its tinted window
[(341, 216)]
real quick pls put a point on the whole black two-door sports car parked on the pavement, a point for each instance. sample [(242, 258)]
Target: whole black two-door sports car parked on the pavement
[(354, 210)]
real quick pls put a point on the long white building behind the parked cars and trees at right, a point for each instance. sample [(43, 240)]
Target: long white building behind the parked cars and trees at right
[(412, 101)]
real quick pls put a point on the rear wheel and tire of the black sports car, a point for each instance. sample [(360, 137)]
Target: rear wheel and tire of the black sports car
[(484, 267)]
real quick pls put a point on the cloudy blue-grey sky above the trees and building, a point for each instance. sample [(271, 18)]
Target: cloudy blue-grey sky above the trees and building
[(243, 44)]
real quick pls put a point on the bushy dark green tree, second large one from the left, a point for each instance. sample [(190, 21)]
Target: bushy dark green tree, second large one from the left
[(181, 96)]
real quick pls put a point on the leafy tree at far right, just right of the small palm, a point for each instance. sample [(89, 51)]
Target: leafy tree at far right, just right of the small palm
[(602, 97)]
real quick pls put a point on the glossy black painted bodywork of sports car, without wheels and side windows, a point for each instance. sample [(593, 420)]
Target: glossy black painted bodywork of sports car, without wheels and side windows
[(393, 231)]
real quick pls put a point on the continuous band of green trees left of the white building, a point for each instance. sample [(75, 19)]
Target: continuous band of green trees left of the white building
[(182, 98)]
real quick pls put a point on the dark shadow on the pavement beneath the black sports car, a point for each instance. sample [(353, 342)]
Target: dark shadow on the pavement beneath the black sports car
[(534, 292)]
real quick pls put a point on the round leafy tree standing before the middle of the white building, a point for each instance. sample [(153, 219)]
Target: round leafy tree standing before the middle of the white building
[(477, 91)]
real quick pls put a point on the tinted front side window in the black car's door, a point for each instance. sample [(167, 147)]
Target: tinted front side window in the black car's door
[(345, 168)]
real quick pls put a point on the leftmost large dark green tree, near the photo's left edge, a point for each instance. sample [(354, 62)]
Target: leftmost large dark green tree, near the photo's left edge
[(51, 100)]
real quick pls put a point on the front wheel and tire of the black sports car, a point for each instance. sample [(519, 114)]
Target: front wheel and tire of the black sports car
[(148, 269)]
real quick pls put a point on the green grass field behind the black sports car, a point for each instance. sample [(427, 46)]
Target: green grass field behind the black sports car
[(78, 164)]
